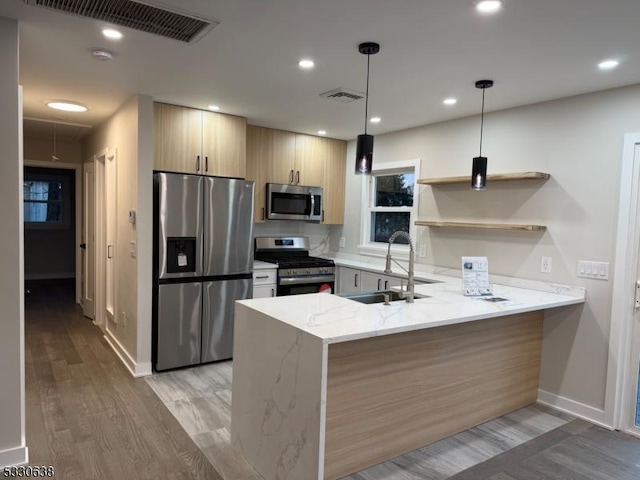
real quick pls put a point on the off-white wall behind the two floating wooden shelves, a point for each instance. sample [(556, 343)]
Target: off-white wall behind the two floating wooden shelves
[(577, 140)]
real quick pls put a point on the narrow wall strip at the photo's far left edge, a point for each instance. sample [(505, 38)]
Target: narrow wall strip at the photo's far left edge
[(12, 432)]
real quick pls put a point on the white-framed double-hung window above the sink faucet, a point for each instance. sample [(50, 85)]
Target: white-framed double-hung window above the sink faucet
[(391, 204)]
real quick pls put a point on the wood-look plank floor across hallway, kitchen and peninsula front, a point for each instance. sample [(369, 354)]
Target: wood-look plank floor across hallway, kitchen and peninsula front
[(88, 418)]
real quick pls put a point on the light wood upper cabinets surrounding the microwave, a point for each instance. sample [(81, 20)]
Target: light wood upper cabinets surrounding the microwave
[(276, 156)]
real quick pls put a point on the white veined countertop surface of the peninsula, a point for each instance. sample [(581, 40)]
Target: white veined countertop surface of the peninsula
[(335, 319)]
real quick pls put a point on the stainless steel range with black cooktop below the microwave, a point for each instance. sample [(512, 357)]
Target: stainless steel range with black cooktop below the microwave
[(297, 271)]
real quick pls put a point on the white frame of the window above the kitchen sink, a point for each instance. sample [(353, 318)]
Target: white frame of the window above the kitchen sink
[(379, 249)]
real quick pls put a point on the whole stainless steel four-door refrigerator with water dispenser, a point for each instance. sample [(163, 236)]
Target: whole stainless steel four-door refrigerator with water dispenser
[(203, 263)]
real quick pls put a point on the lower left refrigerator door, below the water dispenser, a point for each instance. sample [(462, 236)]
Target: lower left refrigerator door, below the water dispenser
[(178, 325)]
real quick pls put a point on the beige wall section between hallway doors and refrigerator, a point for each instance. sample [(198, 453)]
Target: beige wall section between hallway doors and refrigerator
[(129, 132)]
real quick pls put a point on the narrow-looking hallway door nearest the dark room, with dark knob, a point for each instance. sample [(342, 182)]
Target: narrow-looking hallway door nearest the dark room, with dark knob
[(88, 280)]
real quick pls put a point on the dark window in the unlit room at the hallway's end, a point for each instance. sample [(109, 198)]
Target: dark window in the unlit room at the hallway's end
[(46, 199)]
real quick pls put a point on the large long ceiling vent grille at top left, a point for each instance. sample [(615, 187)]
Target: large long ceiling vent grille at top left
[(135, 15)]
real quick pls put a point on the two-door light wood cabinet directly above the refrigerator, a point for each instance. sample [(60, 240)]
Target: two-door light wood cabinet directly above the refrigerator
[(195, 141)]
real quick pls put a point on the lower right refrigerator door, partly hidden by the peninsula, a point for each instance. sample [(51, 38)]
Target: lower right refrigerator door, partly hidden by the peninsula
[(217, 319)]
